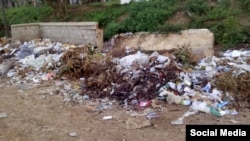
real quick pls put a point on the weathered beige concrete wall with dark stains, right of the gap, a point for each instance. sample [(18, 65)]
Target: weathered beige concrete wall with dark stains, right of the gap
[(200, 41)]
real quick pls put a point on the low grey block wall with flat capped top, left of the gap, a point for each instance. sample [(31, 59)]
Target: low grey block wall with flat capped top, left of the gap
[(65, 32)]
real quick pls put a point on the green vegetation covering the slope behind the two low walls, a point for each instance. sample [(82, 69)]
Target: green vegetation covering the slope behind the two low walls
[(222, 18)]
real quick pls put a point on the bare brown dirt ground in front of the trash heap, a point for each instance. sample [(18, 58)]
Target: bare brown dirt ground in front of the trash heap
[(37, 115)]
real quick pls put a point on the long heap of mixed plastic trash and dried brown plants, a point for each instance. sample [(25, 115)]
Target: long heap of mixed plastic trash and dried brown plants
[(214, 85)]
